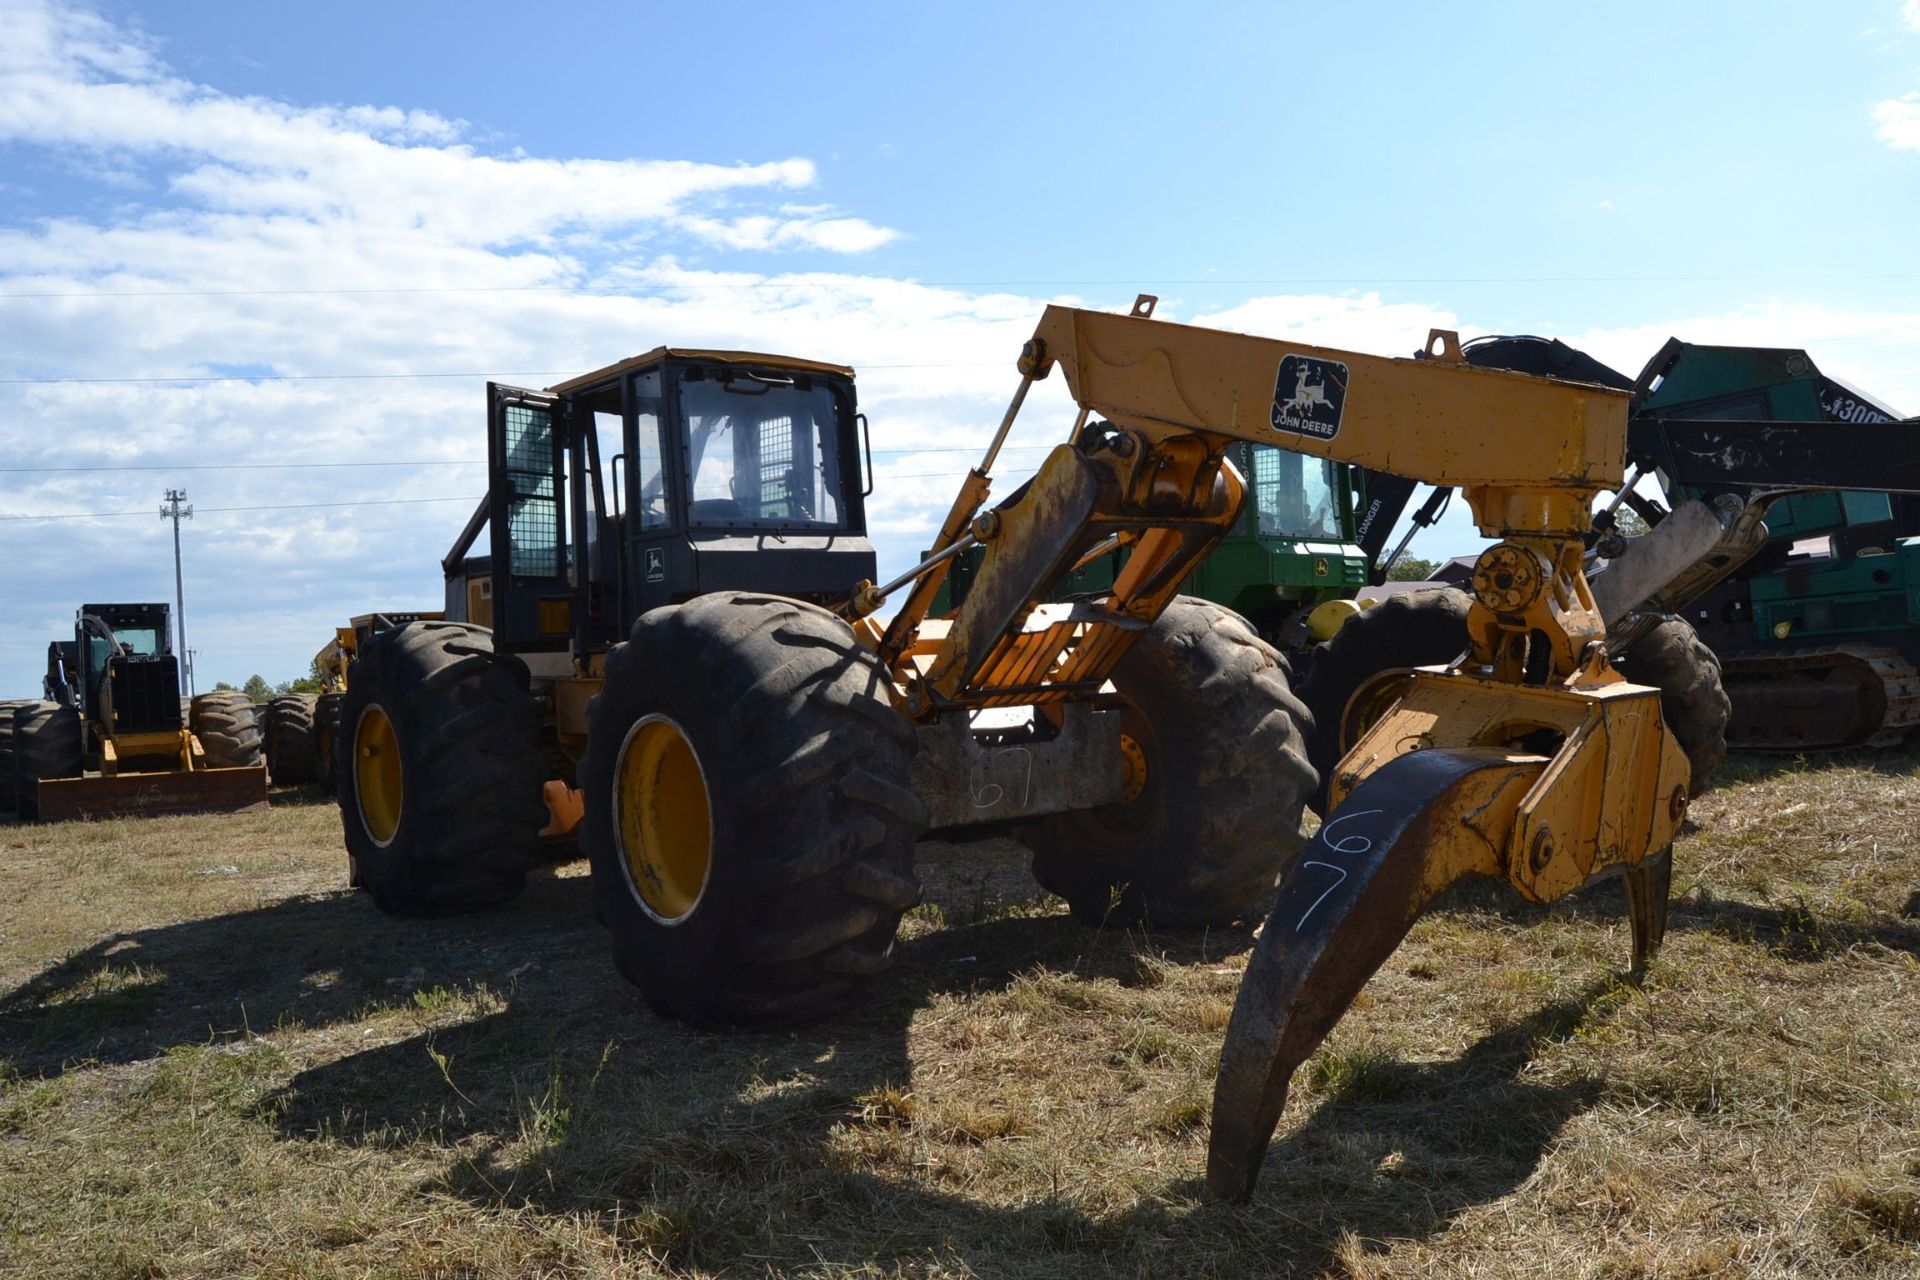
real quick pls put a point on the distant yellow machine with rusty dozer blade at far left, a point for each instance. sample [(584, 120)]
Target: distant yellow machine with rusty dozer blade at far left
[(114, 736)]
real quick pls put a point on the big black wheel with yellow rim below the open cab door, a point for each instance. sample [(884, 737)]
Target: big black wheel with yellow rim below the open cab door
[(439, 770)]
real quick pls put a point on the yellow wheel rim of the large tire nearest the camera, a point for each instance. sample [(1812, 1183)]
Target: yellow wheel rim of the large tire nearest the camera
[(663, 820)]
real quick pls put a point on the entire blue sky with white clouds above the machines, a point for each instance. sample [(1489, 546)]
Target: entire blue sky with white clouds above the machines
[(435, 189)]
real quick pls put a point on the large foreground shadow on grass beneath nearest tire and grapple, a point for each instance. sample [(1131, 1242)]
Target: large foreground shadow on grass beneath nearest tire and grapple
[(802, 1149)]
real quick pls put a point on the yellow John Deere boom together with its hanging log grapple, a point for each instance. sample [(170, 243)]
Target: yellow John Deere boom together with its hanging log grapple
[(1531, 759)]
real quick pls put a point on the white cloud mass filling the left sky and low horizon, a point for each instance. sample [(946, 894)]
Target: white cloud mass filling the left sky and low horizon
[(233, 225)]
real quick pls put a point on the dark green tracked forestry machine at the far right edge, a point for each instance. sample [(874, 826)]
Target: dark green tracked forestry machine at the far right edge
[(1817, 628)]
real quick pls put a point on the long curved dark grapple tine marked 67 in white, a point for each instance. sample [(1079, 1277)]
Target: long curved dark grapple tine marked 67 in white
[(1343, 909)]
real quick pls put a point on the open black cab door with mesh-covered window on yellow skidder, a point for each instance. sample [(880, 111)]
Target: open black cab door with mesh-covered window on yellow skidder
[(527, 519)]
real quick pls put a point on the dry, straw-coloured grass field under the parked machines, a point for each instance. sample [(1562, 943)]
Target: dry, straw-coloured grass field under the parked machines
[(216, 1062)]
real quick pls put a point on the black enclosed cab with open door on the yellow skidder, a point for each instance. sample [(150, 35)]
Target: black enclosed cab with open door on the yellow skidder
[(656, 481)]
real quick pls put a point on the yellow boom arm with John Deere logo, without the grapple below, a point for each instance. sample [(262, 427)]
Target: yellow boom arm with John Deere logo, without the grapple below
[(1147, 467)]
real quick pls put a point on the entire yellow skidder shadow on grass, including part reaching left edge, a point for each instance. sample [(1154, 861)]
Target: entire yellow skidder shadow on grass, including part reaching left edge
[(565, 1097)]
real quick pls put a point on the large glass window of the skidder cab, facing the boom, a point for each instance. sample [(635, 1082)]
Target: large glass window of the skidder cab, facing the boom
[(763, 452)]
